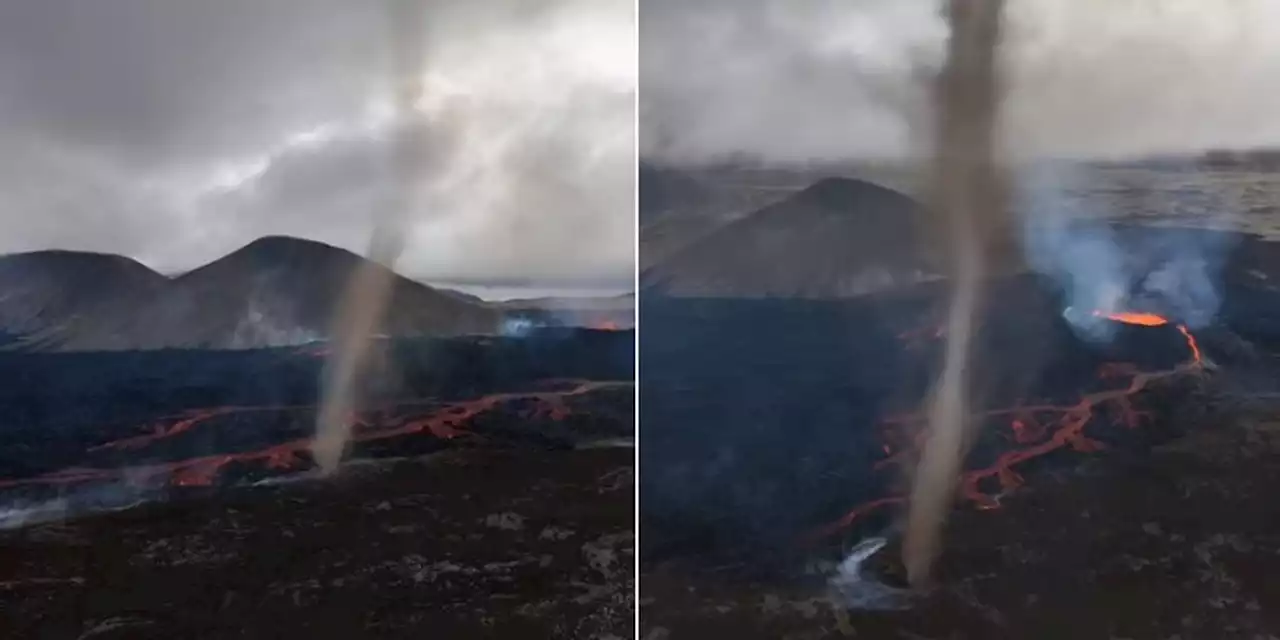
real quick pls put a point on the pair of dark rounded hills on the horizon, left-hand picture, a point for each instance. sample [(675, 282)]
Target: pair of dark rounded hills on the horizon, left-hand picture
[(273, 292)]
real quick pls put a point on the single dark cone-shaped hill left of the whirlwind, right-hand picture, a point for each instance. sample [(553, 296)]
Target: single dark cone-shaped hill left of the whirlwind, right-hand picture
[(836, 239)]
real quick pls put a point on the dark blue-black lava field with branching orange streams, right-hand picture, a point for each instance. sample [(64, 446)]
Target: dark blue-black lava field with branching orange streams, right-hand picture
[(774, 420)]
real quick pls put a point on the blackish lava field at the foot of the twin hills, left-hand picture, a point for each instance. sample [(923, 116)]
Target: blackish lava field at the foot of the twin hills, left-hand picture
[(65, 408)]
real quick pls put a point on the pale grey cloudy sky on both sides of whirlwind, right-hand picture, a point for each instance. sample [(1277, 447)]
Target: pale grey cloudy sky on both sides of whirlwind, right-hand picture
[(831, 80)]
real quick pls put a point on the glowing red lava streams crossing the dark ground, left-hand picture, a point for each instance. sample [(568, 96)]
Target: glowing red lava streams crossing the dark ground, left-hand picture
[(442, 420)]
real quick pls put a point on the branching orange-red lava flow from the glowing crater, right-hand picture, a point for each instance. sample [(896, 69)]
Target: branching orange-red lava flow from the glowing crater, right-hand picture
[(1036, 429)]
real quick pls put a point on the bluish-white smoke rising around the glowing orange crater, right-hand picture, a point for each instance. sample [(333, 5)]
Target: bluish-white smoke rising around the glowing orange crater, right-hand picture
[(1071, 239)]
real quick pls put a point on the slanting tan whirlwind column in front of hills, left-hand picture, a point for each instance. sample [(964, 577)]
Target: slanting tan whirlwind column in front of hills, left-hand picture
[(364, 304)]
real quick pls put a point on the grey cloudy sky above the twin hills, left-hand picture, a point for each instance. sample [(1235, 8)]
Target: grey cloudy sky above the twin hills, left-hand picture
[(175, 131)]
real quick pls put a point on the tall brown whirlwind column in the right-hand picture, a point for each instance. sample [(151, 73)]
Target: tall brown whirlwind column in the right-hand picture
[(971, 211)]
